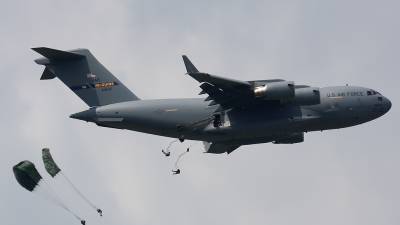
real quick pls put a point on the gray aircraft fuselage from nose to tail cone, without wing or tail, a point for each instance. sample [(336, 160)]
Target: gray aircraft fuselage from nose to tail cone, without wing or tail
[(257, 122)]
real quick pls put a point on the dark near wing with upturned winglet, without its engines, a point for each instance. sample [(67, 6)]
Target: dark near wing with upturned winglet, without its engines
[(225, 92)]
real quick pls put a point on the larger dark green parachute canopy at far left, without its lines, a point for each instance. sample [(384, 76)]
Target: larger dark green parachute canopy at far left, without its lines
[(26, 174)]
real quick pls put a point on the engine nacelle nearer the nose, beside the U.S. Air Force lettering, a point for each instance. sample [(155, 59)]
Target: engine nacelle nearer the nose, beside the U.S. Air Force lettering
[(306, 96)]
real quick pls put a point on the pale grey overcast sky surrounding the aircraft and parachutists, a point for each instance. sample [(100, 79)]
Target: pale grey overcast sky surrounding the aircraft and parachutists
[(346, 176)]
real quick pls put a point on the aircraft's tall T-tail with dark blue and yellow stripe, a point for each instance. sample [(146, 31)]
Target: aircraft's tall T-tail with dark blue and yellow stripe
[(84, 75)]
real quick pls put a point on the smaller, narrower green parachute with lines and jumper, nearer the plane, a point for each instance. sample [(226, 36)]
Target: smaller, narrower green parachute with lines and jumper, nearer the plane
[(52, 168)]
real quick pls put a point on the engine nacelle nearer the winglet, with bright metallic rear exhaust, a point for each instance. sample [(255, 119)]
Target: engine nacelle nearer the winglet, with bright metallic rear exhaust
[(276, 91)]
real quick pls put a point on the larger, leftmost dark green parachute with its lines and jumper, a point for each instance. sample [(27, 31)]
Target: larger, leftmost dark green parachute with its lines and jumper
[(29, 178)]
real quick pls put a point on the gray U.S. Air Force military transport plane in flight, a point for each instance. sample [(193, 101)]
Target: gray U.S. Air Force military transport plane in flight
[(234, 113)]
